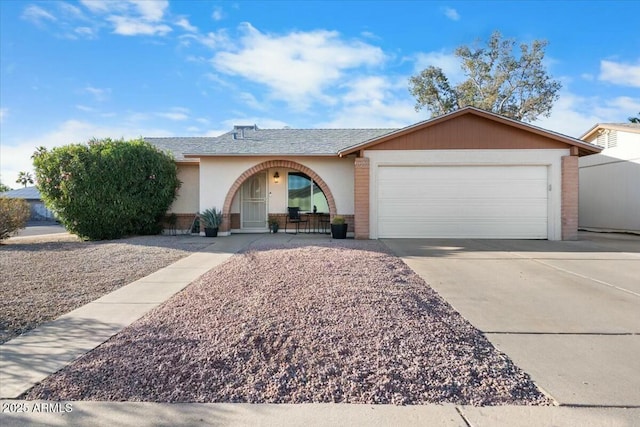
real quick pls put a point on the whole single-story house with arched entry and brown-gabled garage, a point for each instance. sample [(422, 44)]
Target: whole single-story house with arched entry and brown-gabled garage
[(469, 173)]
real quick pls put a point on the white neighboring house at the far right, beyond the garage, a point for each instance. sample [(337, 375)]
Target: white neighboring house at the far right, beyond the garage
[(610, 181)]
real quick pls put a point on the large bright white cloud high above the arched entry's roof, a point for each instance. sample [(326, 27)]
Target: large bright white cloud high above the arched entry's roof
[(296, 67)]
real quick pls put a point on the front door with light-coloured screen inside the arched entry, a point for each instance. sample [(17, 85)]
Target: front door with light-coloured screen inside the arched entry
[(254, 202)]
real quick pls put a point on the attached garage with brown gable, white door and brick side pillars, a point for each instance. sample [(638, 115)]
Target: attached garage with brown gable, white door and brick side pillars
[(468, 174)]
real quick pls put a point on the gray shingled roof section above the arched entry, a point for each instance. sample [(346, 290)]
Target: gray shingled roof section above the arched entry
[(264, 142)]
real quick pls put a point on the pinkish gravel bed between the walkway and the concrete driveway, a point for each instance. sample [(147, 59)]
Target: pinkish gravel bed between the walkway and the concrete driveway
[(341, 322)]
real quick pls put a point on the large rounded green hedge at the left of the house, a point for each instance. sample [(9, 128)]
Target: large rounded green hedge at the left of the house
[(107, 188)]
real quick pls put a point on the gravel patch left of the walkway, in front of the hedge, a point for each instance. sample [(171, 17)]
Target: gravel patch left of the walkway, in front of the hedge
[(47, 276)]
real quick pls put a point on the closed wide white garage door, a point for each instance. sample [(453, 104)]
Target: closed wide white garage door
[(462, 201)]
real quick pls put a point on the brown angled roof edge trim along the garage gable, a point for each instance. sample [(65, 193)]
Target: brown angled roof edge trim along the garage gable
[(585, 148)]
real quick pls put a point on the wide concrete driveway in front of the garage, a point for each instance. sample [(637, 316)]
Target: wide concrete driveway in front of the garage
[(568, 313)]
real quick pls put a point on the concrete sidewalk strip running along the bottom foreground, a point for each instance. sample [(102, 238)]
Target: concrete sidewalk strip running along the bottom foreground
[(114, 414)]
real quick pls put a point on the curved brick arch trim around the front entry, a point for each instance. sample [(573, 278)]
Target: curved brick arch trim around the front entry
[(226, 209)]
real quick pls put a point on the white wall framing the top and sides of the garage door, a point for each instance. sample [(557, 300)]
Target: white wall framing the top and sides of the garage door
[(550, 158)]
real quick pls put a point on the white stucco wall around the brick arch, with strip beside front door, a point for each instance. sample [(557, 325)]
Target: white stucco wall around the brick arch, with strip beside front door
[(217, 175)]
